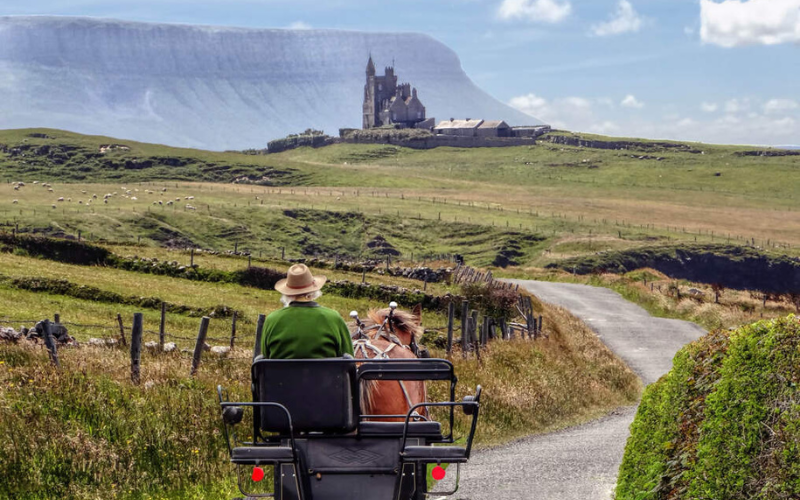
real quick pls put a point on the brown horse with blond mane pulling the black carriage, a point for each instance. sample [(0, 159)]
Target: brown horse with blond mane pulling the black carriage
[(390, 334)]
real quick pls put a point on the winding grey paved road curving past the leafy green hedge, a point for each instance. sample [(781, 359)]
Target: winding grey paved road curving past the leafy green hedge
[(580, 463)]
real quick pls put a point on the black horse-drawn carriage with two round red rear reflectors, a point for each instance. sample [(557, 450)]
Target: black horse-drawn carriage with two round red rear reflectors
[(310, 427)]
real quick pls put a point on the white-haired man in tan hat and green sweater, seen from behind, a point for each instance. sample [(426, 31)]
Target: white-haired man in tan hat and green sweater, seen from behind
[(303, 329)]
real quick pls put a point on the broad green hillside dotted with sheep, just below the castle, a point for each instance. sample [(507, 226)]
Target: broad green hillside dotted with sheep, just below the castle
[(538, 204)]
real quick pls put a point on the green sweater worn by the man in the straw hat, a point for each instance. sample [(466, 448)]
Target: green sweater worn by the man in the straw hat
[(305, 330)]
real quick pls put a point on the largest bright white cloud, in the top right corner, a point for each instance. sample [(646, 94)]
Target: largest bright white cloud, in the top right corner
[(734, 23)]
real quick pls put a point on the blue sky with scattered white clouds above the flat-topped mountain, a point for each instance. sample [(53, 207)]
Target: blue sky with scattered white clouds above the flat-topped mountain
[(721, 71)]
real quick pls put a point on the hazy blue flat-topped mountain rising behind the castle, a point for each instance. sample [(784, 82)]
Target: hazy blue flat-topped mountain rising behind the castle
[(212, 87)]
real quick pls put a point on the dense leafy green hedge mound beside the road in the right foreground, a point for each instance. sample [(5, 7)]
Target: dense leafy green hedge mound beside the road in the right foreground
[(723, 423)]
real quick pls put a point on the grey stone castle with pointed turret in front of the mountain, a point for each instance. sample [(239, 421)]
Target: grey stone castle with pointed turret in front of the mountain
[(387, 103)]
